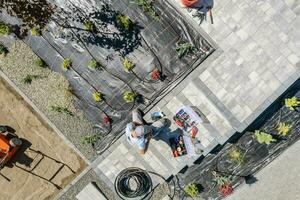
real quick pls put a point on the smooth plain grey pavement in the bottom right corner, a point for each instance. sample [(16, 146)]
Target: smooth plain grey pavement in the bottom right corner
[(278, 181)]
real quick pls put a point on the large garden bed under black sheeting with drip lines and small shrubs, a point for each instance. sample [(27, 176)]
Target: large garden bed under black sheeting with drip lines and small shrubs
[(115, 50)]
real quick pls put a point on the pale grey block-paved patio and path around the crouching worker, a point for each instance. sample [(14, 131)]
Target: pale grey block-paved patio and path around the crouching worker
[(257, 60)]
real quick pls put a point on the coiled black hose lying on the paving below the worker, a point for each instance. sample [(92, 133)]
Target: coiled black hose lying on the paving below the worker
[(133, 183)]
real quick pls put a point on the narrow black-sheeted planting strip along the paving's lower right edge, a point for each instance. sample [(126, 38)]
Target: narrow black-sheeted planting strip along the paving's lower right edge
[(238, 161)]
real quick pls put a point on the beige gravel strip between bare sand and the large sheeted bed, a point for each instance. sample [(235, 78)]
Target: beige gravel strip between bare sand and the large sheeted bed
[(49, 89)]
